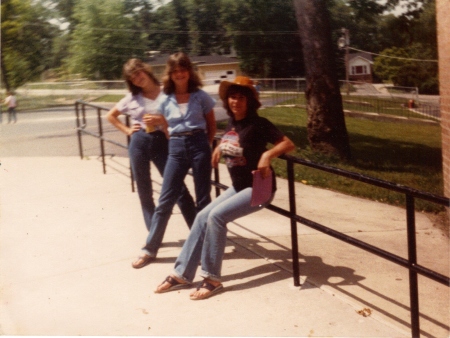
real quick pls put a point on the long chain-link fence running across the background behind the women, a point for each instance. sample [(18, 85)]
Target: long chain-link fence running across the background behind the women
[(357, 97)]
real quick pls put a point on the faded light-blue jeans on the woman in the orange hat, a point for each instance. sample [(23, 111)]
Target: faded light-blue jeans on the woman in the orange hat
[(207, 239)]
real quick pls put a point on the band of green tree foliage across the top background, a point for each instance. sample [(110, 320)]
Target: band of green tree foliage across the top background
[(101, 35)]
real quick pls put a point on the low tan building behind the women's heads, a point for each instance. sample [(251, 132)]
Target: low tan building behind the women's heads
[(212, 68)]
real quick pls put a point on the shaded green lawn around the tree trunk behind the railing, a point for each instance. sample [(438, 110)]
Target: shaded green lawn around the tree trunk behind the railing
[(400, 153)]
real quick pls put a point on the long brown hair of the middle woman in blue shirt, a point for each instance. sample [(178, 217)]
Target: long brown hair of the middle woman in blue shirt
[(180, 60)]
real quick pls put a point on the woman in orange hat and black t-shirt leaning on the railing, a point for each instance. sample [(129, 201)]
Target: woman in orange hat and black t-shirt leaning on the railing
[(244, 149)]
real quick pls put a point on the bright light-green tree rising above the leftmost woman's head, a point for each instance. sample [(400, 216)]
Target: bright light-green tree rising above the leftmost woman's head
[(103, 39)]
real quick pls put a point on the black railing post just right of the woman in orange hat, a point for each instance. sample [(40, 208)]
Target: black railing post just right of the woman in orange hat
[(293, 212)]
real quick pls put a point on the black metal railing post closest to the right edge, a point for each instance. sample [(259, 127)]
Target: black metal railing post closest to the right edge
[(412, 258)]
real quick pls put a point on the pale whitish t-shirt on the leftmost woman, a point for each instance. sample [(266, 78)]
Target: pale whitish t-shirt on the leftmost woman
[(137, 105)]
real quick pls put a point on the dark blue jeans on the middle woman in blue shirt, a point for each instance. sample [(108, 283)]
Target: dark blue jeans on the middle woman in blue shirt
[(185, 152)]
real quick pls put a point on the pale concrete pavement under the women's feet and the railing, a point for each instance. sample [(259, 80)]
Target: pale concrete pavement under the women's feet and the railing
[(68, 235)]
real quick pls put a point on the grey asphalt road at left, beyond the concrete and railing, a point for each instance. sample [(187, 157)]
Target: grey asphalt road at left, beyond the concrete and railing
[(53, 132)]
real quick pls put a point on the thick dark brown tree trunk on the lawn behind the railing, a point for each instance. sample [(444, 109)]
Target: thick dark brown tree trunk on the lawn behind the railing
[(327, 132)]
